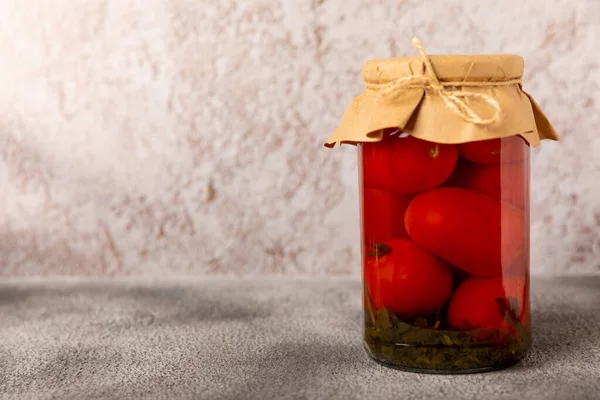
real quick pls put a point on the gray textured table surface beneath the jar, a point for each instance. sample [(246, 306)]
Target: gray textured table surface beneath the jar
[(256, 339)]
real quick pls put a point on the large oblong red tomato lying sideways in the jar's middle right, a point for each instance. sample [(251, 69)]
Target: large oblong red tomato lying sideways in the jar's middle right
[(470, 230)]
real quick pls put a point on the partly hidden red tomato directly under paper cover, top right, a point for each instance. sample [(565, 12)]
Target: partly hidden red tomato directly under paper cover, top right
[(494, 151)]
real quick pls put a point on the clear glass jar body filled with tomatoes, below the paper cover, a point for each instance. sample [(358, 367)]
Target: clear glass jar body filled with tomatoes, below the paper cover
[(445, 238)]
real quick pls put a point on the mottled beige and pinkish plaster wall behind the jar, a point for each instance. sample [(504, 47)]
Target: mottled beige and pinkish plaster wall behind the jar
[(184, 137)]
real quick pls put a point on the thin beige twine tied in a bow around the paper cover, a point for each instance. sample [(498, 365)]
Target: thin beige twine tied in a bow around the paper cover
[(454, 97)]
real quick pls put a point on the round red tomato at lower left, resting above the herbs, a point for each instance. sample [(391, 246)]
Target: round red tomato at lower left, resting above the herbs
[(409, 279)]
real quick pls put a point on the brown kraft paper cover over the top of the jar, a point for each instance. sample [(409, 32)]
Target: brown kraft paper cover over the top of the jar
[(423, 113)]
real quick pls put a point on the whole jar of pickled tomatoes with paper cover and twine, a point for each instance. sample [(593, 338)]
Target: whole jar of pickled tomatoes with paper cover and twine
[(444, 164)]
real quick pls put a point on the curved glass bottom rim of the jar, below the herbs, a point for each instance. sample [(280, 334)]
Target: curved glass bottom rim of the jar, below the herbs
[(507, 362)]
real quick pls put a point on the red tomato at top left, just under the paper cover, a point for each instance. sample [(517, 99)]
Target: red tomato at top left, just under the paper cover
[(406, 164)]
